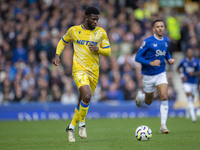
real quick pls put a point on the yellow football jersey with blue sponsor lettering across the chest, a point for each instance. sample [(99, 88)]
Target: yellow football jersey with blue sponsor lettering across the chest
[(83, 58)]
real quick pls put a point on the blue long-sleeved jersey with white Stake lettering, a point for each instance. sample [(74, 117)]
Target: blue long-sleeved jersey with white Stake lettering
[(151, 49)]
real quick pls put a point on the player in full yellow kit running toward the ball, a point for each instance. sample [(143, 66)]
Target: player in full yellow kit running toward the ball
[(88, 41)]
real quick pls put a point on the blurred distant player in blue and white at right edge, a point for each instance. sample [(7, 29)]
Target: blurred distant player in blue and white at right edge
[(191, 69)]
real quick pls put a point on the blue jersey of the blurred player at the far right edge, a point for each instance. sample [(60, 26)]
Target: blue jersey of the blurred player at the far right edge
[(190, 66)]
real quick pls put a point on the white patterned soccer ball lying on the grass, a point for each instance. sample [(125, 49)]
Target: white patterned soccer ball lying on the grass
[(143, 133)]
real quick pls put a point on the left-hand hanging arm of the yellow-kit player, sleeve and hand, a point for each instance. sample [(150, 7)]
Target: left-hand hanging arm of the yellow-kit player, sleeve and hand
[(60, 47)]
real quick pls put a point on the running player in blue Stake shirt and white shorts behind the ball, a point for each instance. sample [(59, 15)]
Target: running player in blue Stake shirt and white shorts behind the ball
[(152, 55)]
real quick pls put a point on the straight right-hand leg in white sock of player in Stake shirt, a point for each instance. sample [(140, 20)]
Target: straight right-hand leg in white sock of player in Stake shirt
[(162, 92)]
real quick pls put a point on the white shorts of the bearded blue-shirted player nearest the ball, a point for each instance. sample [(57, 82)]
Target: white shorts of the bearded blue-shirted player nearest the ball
[(150, 82)]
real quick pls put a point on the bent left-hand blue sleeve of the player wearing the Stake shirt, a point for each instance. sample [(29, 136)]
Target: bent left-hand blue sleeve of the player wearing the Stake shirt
[(139, 56)]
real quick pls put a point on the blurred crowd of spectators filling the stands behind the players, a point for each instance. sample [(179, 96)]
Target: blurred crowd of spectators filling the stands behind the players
[(31, 29)]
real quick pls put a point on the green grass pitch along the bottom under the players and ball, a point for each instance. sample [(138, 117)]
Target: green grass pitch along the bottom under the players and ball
[(103, 134)]
